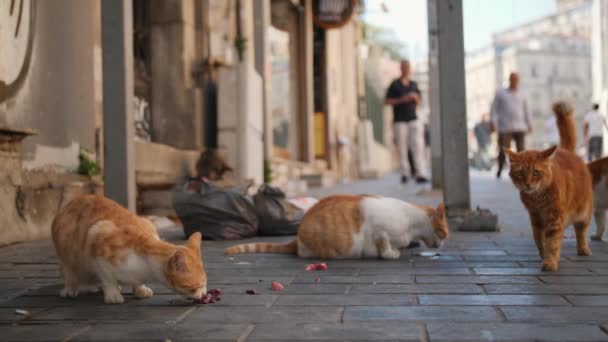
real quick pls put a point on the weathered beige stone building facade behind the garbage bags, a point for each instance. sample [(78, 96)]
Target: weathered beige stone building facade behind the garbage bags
[(262, 81)]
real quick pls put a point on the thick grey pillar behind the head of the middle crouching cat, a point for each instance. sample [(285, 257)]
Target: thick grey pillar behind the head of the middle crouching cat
[(450, 82)]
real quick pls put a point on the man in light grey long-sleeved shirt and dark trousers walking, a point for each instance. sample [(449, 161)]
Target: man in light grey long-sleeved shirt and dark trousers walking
[(510, 116)]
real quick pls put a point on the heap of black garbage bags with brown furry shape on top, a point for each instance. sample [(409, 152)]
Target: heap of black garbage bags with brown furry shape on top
[(221, 209)]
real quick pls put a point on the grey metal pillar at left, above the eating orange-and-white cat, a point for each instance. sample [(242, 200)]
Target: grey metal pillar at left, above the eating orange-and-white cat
[(117, 54)]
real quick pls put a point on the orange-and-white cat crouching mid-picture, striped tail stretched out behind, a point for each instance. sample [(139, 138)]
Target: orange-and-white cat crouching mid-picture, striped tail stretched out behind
[(345, 226)]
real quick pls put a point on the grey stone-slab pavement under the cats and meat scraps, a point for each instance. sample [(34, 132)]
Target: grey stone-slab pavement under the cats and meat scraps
[(481, 287)]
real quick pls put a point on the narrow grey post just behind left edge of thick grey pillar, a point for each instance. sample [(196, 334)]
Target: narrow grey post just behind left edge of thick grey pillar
[(434, 117)]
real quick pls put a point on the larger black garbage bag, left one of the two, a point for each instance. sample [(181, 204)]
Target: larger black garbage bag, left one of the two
[(218, 213)]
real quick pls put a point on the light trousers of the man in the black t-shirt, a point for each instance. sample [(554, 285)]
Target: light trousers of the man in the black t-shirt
[(409, 135)]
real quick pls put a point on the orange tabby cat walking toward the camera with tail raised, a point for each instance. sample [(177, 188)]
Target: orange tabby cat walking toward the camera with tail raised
[(555, 188)]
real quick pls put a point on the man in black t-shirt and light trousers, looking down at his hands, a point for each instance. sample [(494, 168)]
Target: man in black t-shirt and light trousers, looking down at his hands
[(403, 94)]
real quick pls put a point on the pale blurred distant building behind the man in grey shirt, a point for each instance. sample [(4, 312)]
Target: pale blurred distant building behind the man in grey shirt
[(552, 55)]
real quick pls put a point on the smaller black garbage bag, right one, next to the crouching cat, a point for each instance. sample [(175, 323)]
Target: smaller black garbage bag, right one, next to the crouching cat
[(276, 216)]
